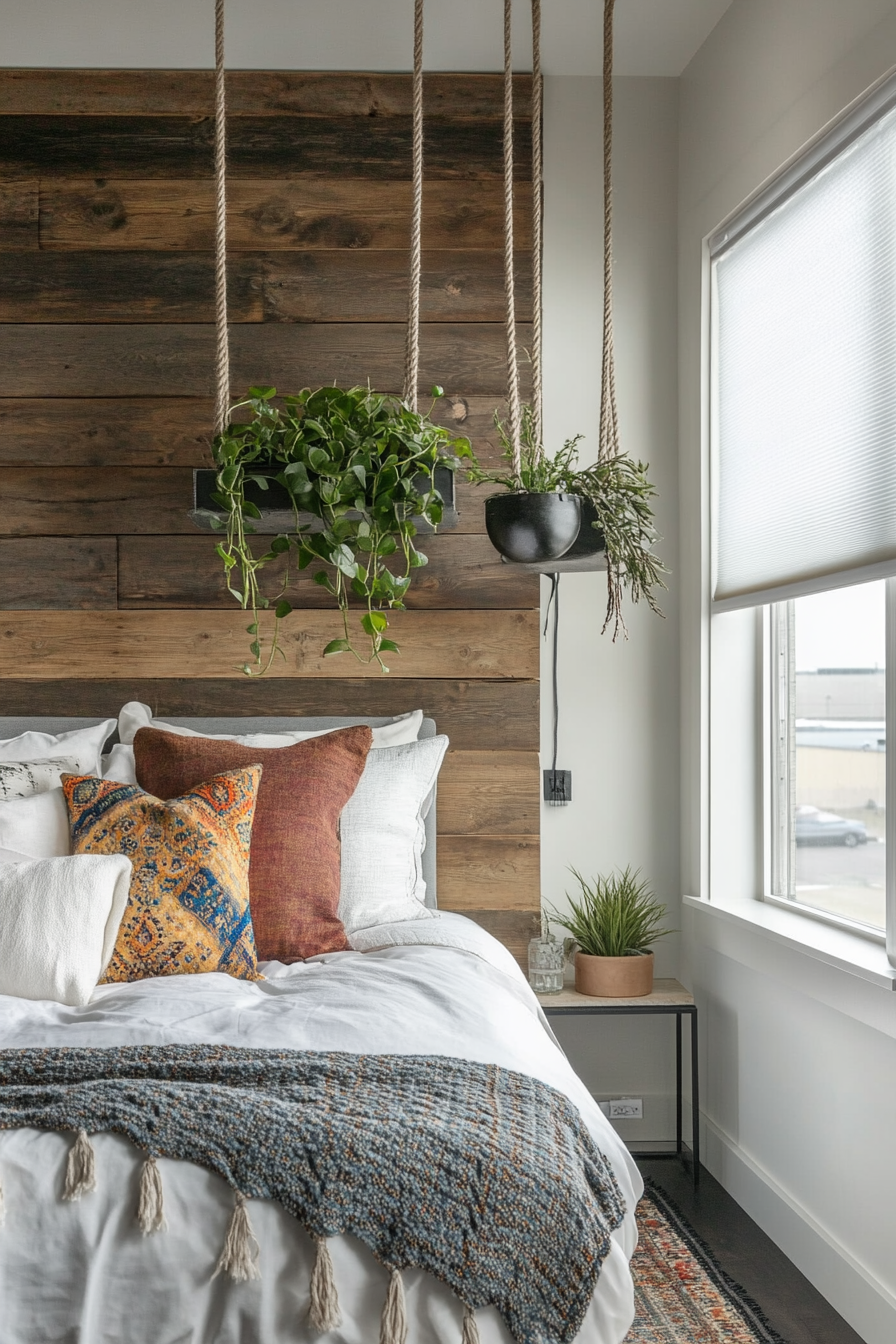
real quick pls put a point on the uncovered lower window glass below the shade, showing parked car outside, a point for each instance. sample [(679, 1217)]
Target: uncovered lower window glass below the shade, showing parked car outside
[(828, 753)]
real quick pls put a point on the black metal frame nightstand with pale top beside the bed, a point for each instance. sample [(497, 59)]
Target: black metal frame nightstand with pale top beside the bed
[(668, 998)]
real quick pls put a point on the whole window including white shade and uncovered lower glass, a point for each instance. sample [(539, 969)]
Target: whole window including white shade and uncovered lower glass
[(804, 510)]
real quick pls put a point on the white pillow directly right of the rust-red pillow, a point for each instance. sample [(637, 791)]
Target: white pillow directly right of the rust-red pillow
[(384, 837)]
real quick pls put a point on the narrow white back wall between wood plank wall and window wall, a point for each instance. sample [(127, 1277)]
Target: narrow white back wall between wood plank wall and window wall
[(619, 704)]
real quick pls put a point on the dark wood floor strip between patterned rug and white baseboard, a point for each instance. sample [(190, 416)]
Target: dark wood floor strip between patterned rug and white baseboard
[(796, 1310)]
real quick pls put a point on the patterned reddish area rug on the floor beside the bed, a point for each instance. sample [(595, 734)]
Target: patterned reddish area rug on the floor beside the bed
[(682, 1295)]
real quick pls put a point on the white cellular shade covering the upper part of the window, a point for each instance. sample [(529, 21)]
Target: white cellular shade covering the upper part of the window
[(805, 385)]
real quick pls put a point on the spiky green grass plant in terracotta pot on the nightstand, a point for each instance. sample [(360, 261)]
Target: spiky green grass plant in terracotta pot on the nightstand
[(613, 923)]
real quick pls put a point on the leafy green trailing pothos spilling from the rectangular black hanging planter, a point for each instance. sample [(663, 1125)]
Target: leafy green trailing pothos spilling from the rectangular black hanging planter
[(363, 466)]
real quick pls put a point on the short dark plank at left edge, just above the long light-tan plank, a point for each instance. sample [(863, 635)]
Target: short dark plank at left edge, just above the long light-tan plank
[(58, 573)]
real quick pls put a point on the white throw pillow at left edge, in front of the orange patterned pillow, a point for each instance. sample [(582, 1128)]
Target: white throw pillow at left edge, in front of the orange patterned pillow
[(58, 925)]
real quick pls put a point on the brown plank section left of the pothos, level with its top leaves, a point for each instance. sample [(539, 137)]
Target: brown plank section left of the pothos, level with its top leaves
[(107, 432)]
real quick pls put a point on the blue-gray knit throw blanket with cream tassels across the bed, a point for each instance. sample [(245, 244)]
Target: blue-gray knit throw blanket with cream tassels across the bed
[(482, 1177)]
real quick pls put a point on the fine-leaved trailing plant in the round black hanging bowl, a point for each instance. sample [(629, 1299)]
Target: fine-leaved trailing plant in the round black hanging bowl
[(620, 491)]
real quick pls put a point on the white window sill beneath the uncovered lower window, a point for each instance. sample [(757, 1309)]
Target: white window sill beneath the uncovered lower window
[(808, 939)]
